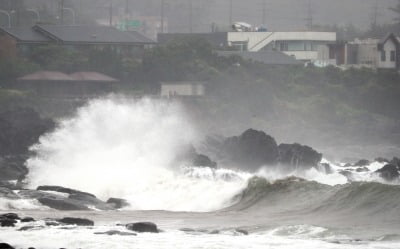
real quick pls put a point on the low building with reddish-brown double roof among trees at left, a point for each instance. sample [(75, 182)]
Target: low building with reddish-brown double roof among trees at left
[(53, 83)]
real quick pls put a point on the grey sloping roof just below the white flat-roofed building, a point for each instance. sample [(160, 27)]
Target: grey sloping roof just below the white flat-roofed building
[(266, 57)]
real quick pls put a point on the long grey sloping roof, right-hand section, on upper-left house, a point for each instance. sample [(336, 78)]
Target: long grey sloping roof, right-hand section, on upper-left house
[(91, 34)]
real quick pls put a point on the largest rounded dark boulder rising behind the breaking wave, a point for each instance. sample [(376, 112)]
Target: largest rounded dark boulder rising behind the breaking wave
[(251, 150)]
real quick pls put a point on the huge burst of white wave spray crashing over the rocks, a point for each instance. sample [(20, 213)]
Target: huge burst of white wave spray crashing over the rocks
[(126, 148)]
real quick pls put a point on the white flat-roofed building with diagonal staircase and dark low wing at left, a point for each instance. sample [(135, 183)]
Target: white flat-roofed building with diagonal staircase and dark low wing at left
[(300, 45)]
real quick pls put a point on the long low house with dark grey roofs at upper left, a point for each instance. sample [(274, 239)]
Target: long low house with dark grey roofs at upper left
[(22, 40)]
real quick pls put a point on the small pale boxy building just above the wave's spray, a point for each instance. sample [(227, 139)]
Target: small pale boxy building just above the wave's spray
[(182, 89)]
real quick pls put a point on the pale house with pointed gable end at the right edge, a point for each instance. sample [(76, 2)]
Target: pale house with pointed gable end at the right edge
[(373, 53)]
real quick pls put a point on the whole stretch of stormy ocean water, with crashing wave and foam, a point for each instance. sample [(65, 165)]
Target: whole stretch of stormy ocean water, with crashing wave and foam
[(117, 147)]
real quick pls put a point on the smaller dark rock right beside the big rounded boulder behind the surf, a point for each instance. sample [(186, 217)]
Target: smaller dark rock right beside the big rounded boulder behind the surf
[(298, 156)]
